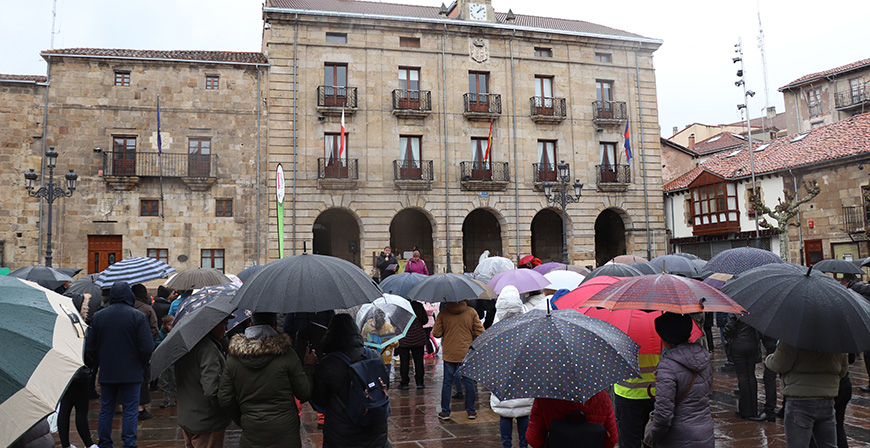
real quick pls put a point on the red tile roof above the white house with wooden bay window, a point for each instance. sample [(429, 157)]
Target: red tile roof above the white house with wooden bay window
[(845, 138)]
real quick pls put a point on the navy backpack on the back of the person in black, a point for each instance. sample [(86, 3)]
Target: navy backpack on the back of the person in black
[(368, 402)]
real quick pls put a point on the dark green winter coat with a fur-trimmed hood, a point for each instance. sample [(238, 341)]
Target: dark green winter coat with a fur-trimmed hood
[(261, 377)]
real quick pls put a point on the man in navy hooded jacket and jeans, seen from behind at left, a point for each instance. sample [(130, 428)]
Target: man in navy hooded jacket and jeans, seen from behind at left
[(120, 342)]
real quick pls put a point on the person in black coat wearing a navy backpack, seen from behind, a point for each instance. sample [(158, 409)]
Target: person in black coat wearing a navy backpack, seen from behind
[(332, 388)]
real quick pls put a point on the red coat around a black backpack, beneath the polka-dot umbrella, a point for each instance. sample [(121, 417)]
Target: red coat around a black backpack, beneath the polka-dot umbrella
[(597, 410)]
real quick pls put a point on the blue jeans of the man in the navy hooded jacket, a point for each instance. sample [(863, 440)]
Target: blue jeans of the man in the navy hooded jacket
[(129, 393)]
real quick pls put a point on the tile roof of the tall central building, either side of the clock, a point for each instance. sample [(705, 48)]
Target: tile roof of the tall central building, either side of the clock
[(432, 12)]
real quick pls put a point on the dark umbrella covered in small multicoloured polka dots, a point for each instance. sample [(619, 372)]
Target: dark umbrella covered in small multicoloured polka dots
[(562, 354)]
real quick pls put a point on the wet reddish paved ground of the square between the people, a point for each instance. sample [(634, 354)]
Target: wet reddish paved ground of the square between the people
[(414, 421)]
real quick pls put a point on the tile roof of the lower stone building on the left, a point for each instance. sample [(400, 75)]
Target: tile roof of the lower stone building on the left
[(180, 55)]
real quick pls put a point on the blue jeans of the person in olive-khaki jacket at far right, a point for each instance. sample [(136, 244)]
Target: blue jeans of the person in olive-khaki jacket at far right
[(806, 419)]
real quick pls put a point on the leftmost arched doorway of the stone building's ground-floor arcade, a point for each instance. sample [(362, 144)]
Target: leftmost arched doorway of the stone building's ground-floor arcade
[(336, 233)]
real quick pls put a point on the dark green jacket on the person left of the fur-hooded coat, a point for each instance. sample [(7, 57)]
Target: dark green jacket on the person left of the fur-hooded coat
[(197, 375)]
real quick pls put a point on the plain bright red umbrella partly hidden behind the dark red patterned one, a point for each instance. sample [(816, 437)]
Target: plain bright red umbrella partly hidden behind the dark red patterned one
[(638, 325)]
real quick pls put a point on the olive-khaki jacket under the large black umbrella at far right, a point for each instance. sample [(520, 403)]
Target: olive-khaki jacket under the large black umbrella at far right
[(808, 374)]
